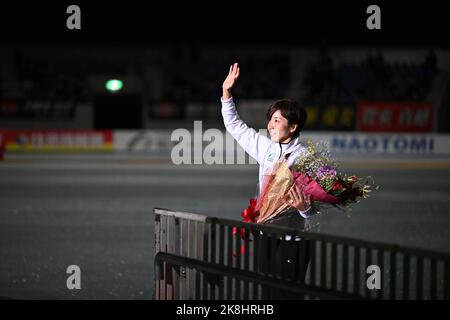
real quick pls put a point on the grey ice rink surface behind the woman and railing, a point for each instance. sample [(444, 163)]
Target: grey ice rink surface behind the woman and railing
[(97, 214)]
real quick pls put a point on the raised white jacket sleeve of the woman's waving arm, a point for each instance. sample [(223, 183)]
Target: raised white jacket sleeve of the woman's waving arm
[(254, 143)]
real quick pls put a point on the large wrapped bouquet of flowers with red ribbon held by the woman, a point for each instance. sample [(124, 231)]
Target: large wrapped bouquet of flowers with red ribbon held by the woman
[(317, 176)]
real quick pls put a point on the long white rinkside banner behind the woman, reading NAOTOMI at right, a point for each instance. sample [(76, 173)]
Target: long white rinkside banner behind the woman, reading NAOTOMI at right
[(340, 142)]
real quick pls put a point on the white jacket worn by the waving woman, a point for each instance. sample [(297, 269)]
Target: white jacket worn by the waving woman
[(258, 146)]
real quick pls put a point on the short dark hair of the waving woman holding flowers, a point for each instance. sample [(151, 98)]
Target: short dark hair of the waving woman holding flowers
[(292, 111)]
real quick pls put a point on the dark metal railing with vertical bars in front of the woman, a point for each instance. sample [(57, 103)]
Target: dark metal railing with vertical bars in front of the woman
[(200, 257)]
